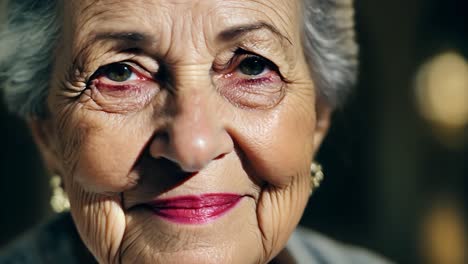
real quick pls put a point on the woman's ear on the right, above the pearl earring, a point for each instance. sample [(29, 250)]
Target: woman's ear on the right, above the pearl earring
[(323, 112)]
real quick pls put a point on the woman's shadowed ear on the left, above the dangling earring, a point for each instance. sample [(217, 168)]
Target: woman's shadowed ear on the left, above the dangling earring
[(43, 135)]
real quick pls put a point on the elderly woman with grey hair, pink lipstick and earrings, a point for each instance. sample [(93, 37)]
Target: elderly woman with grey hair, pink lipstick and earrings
[(183, 130)]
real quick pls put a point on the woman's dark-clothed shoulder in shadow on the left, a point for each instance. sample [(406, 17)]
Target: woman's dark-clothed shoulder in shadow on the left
[(51, 242)]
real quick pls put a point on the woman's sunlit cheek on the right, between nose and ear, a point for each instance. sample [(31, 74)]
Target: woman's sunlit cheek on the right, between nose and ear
[(279, 146)]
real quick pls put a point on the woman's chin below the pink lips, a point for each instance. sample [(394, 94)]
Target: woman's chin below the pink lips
[(231, 238)]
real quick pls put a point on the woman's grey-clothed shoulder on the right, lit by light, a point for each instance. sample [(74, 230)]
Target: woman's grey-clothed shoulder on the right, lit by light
[(310, 247)]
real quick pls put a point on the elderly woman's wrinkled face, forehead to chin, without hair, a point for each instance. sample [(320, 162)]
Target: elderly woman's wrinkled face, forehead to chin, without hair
[(184, 130)]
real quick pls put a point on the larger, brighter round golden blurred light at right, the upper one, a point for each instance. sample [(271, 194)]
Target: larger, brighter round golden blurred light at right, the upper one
[(442, 96)]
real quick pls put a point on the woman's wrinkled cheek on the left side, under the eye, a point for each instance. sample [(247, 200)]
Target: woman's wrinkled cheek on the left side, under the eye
[(107, 154)]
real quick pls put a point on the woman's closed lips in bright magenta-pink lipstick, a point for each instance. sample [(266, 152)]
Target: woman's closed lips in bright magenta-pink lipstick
[(195, 209)]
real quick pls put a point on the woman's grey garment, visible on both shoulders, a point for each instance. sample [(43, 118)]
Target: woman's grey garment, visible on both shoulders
[(58, 242)]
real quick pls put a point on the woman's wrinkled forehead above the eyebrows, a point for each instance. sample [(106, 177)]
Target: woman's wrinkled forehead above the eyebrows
[(178, 16)]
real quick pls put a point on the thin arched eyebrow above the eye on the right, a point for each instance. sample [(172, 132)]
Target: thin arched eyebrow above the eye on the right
[(236, 32)]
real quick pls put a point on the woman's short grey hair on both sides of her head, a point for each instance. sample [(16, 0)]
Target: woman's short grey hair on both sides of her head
[(28, 41)]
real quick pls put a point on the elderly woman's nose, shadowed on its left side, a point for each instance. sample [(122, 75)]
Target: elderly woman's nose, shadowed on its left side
[(194, 135)]
